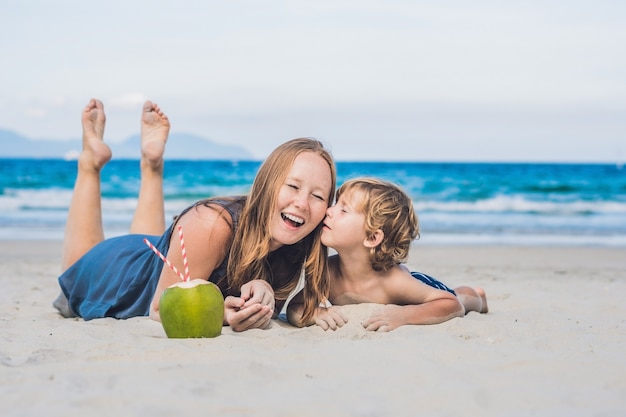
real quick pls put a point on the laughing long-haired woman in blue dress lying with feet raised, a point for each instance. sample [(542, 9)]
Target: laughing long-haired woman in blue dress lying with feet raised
[(254, 248)]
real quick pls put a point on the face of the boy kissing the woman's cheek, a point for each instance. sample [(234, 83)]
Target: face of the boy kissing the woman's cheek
[(344, 225)]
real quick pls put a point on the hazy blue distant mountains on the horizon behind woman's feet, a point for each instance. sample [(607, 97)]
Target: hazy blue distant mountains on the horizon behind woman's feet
[(180, 146)]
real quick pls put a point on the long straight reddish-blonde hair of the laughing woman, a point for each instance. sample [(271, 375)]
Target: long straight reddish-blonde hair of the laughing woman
[(250, 256)]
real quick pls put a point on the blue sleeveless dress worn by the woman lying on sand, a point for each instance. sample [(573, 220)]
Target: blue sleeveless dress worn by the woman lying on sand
[(118, 277)]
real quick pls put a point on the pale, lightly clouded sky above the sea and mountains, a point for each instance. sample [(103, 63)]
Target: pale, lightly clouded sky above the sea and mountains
[(385, 80)]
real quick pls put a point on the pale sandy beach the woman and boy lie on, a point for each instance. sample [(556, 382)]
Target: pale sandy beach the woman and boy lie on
[(552, 344)]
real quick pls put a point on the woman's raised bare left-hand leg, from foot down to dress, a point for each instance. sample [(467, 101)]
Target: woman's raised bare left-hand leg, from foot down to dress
[(83, 229)]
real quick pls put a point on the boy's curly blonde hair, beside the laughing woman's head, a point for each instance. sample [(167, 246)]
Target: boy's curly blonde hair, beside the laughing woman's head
[(388, 208)]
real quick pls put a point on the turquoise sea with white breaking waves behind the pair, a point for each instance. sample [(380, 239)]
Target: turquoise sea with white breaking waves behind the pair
[(457, 203)]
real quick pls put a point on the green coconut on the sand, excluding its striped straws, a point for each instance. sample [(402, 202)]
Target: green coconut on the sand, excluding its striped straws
[(193, 308)]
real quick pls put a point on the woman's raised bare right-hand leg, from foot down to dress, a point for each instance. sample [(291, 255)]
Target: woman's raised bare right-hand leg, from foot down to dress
[(149, 215)]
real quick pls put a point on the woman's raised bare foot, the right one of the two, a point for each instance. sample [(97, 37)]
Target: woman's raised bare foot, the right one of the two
[(155, 127)]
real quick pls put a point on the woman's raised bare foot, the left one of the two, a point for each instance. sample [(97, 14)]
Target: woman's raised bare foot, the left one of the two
[(95, 152)]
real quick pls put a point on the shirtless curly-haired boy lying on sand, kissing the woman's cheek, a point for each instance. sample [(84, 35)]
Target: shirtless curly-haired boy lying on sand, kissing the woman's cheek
[(371, 228)]
